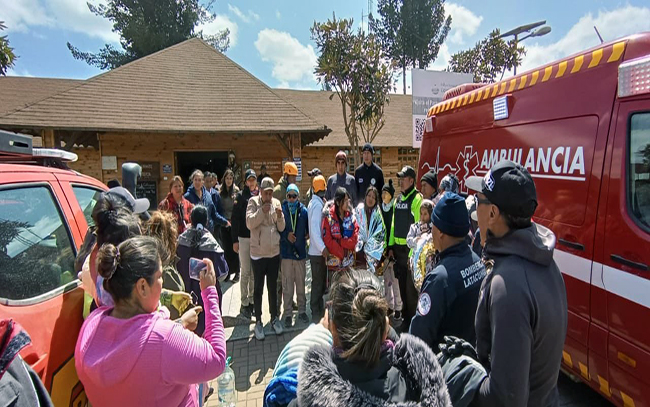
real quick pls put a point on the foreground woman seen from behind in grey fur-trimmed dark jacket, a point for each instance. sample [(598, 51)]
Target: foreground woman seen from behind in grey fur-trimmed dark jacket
[(364, 367)]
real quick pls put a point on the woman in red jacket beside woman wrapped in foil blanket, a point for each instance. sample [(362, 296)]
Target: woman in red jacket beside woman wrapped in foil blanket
[(340, 231)]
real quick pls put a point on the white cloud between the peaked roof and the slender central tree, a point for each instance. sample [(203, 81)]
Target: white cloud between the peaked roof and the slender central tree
[(293, 63)]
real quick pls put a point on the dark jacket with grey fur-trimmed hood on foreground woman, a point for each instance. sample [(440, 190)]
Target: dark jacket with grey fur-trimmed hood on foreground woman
[(408, 375)]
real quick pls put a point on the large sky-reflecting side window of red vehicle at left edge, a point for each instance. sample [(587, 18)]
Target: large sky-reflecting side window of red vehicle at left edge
[(36, 255)]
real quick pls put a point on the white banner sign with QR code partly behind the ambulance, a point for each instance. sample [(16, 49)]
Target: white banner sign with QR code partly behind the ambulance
[(428, 89)]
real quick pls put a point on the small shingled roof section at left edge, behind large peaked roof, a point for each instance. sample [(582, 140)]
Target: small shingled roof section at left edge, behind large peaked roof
[(17, 92)]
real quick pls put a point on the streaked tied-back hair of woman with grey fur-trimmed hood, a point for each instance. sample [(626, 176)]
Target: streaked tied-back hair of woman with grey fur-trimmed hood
[(359, 310)]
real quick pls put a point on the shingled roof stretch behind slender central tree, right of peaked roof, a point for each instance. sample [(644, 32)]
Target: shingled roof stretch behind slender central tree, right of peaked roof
[(397, 132)]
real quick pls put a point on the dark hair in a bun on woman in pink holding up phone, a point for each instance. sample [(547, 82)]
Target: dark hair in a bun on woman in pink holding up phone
[(123, 265)]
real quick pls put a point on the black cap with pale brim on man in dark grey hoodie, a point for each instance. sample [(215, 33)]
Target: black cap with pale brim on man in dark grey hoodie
[(509, 186)]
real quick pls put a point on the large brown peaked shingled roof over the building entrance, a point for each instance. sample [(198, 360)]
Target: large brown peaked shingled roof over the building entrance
[(189, 87)]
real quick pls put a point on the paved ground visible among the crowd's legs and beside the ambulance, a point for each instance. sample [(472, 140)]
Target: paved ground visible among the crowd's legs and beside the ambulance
[(253, 361)]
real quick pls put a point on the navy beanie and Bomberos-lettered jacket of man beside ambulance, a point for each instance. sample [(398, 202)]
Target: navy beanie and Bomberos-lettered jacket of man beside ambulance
[(449, 294)]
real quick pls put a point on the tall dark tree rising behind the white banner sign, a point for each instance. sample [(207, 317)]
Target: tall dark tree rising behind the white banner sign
[(411, 31)]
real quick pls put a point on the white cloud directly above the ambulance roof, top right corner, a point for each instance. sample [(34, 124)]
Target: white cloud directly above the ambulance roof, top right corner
[(611, 24)]
